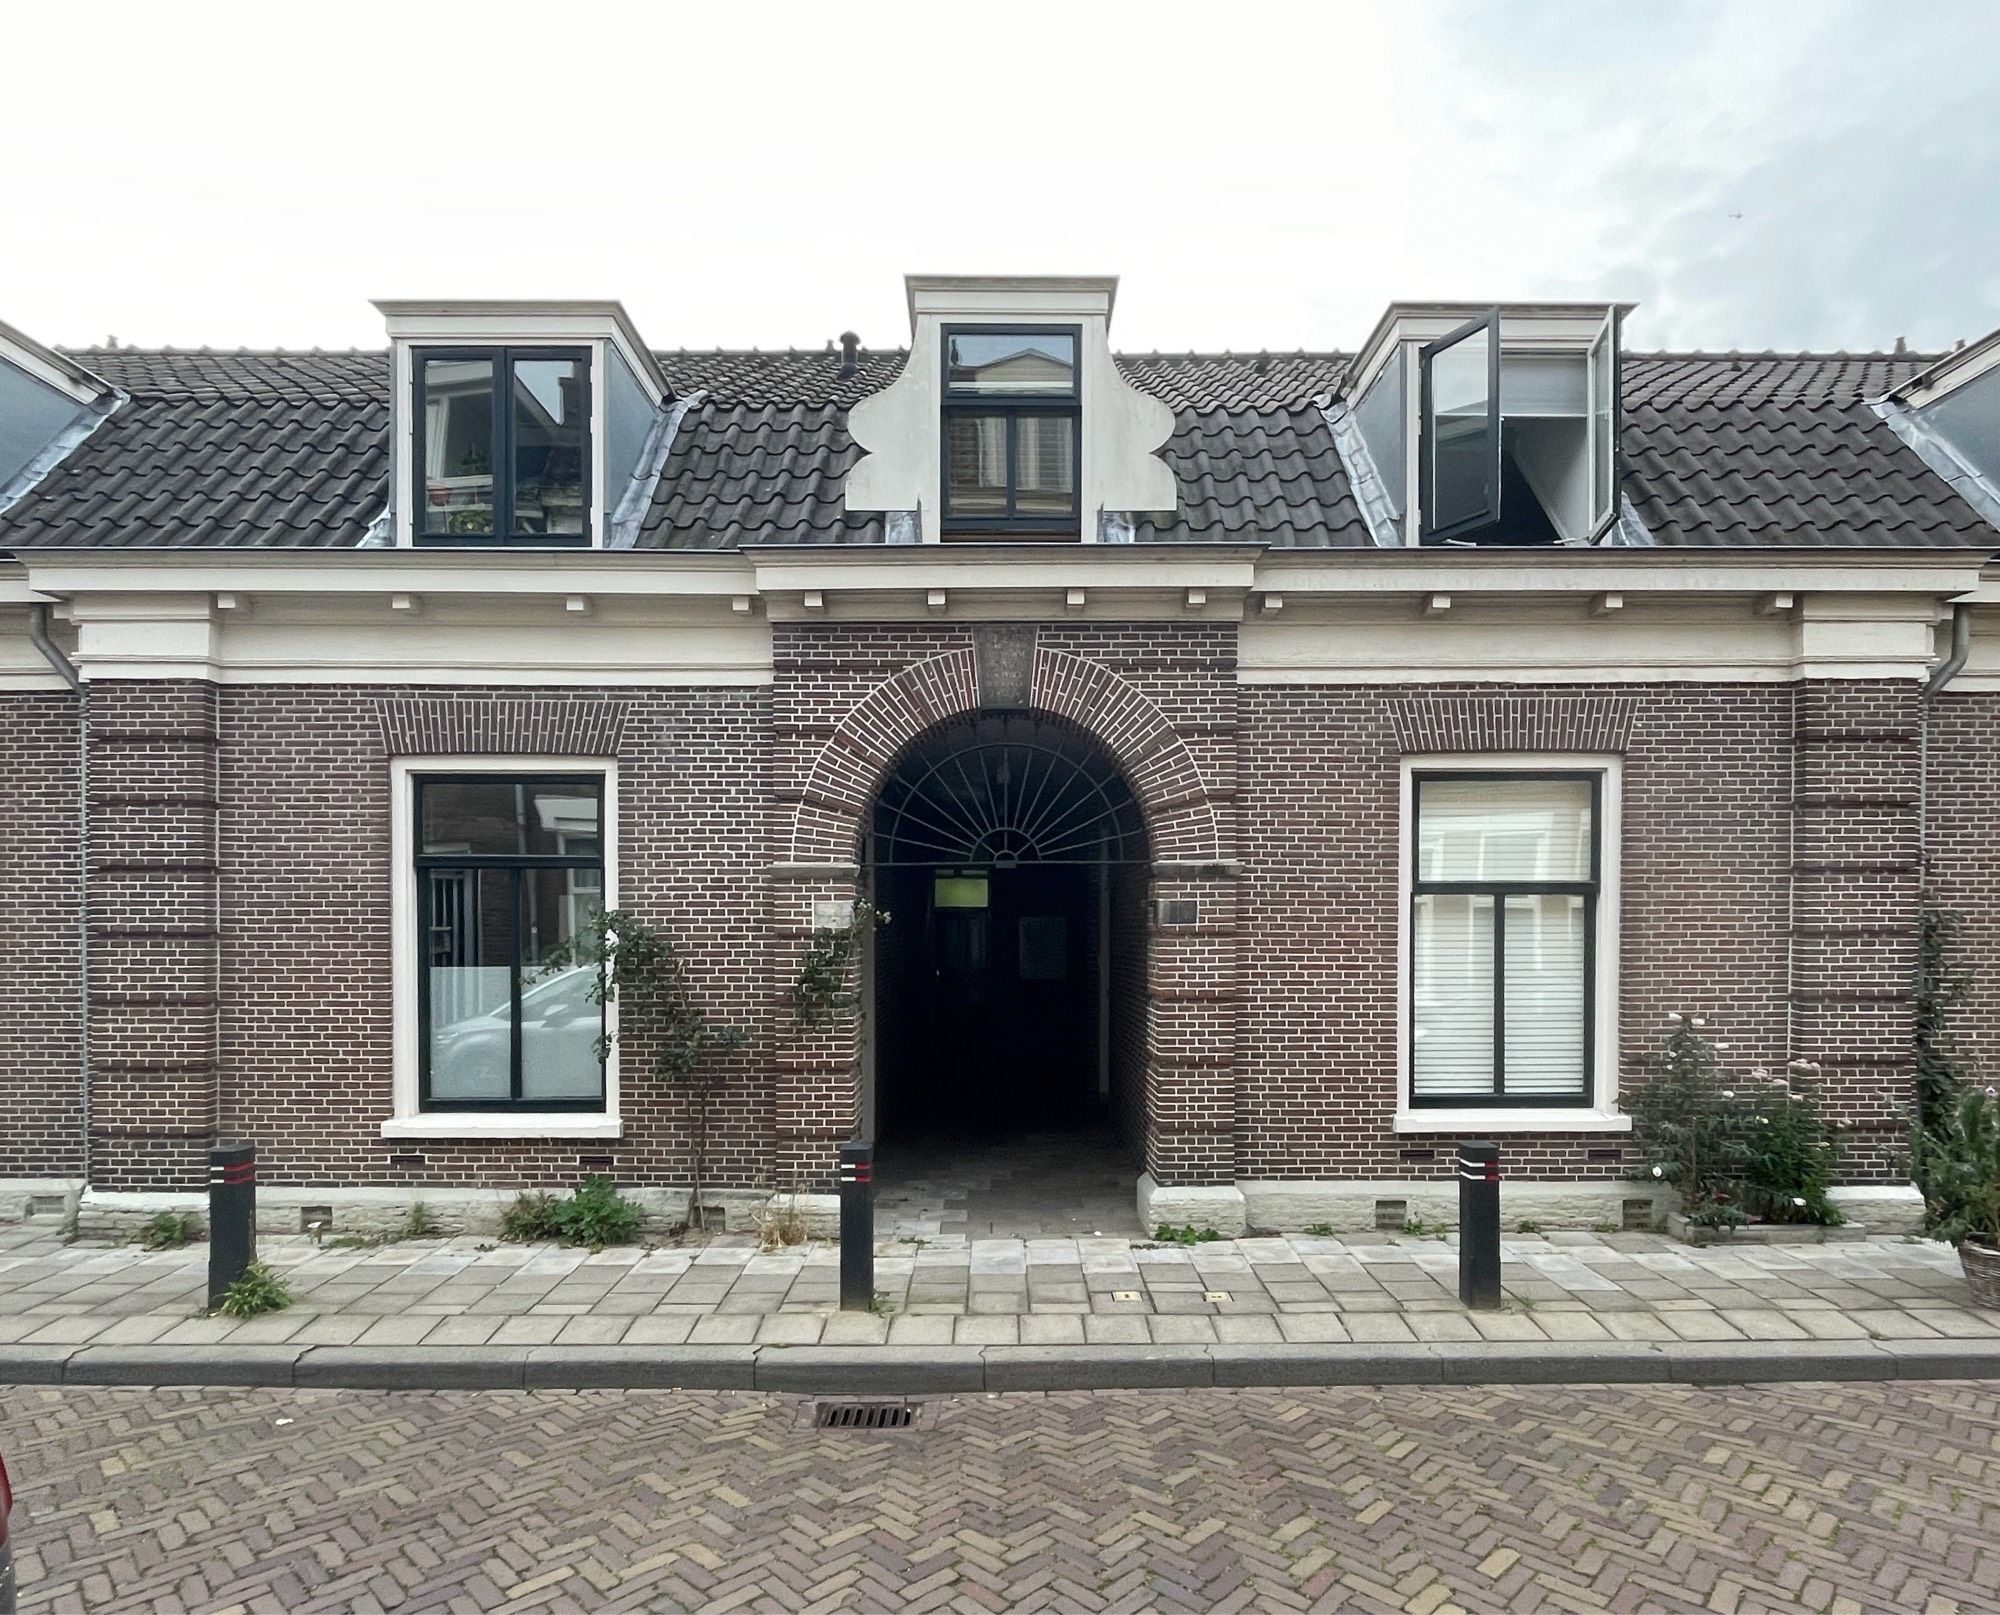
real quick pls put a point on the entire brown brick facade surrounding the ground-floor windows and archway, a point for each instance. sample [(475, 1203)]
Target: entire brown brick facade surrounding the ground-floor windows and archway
[(241, 898)]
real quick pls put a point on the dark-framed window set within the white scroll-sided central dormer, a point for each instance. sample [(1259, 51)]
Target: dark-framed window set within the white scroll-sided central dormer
[(1013, 425)]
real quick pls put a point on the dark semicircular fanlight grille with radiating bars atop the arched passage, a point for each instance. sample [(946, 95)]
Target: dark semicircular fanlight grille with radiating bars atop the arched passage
[(1003, 791)]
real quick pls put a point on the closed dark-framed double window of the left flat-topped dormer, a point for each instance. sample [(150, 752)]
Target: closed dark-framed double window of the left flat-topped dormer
[(503, 447)]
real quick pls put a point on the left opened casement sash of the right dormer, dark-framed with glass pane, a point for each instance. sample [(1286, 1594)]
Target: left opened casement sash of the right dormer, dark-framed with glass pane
[(1459, 465)]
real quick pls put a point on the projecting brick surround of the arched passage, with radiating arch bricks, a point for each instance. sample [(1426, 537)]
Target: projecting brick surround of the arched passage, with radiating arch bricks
[(1183, 775)]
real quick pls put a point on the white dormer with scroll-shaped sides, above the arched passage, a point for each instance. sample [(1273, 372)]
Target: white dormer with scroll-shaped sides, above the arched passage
[(1011, 419)]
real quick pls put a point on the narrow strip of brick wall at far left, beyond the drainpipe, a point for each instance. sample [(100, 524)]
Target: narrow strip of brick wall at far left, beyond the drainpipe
[(41, 1020)]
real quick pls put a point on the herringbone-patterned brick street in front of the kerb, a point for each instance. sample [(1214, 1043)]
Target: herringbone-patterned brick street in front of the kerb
[(1425, 1502)]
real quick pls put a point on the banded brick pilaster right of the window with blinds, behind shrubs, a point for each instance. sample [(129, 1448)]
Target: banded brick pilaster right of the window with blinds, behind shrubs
[(1855, 866)]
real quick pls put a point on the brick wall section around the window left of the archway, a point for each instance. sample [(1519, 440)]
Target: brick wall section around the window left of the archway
[(307, 1042)]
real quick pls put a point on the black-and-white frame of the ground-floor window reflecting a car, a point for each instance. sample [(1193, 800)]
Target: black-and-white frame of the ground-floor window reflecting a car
[(421, 870)]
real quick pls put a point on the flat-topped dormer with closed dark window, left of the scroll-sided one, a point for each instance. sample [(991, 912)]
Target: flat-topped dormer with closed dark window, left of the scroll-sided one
[(517, 425)]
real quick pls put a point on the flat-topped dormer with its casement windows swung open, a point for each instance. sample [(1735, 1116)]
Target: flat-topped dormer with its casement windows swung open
[(1487, 425)]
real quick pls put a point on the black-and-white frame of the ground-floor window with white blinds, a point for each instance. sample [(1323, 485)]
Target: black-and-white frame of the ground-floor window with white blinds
[(1591, 892)]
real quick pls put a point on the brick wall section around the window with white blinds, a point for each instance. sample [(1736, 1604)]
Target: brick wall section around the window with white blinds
[(1705, 910)]
